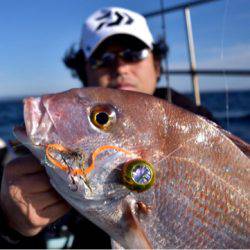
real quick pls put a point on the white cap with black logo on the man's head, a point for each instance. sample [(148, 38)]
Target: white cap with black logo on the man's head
[(111, 21)]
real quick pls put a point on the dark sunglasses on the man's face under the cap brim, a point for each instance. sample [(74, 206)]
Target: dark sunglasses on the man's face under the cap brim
[(108, 59)]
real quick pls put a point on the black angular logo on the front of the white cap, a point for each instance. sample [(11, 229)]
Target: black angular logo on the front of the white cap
[(118, 18)]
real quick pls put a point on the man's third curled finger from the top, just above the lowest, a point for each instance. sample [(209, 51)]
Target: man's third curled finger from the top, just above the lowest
[(42, 200)]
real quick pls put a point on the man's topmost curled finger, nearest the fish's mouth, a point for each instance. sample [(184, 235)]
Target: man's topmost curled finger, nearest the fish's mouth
[(24, 165)]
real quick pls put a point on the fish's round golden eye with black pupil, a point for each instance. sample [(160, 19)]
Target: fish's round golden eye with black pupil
[(103, 117)]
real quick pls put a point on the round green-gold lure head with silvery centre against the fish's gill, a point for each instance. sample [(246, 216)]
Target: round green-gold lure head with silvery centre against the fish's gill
[(138, 175)]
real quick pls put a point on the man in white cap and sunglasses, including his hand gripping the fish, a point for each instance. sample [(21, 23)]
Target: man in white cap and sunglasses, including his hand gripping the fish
[(118, 51)]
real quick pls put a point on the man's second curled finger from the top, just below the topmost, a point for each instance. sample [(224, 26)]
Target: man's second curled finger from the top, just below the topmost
[(33, 183)]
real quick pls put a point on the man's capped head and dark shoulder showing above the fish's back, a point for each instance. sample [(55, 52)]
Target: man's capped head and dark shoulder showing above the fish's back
[(118, 51)]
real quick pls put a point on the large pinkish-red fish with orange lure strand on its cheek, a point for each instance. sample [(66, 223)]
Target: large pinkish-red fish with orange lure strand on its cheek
[(150, 174)]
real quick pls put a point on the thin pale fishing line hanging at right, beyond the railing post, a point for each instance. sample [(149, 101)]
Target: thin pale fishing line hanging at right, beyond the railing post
[(222, 59)]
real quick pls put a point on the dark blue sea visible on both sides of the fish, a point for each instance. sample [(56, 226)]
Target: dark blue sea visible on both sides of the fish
[(237, 121)]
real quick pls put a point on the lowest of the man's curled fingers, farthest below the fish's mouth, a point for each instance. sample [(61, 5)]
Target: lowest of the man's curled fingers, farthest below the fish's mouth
[(54, 212)]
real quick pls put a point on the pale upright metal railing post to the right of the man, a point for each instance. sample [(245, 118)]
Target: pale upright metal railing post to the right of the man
[(192, 60)]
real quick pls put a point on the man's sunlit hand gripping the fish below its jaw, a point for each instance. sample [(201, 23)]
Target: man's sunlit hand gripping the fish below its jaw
[(27, 198)]
